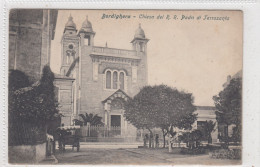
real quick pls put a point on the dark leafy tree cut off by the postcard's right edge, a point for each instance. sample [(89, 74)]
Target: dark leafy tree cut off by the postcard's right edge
[(228, 105)]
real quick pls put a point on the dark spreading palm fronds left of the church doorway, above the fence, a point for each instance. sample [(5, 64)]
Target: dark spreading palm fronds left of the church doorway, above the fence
[(89, 118)]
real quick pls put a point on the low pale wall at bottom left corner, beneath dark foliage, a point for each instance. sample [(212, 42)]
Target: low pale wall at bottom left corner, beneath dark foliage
[(26, 154)]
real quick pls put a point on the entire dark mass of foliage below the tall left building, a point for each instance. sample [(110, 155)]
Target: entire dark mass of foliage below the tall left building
[(34, 104)]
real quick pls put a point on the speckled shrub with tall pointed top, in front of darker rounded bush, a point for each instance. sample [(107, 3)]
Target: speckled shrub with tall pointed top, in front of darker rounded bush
[(36, 105)]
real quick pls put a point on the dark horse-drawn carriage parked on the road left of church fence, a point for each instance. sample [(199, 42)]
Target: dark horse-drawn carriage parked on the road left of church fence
[(69, 135)]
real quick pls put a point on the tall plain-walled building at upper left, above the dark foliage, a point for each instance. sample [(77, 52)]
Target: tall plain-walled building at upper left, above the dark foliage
[(30, 35)]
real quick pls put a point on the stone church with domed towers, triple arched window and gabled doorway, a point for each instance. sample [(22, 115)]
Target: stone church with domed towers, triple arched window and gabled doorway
[(104, 78)]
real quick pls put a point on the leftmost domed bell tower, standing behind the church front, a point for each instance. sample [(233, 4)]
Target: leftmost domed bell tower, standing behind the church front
[(70, 46)]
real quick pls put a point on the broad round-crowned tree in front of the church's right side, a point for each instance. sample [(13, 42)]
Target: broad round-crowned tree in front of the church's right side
[(161, 106)]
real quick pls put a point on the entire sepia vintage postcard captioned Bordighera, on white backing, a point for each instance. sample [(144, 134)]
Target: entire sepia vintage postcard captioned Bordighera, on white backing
[(125, 87)]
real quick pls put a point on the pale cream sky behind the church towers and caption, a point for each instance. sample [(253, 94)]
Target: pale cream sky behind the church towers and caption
[(190, 54)]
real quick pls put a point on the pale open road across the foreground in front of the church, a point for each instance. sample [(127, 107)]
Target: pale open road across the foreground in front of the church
[(109, 154)]
